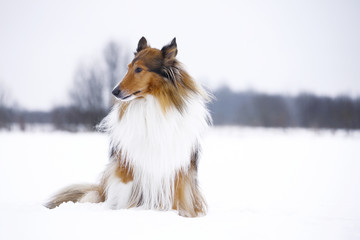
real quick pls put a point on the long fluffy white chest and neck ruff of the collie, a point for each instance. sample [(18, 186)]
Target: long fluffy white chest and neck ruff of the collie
[(156, 144)]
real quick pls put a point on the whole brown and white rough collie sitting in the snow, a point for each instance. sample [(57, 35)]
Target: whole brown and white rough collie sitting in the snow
[(155, 129)]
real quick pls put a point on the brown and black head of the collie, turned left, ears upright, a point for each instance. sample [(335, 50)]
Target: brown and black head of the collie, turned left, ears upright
[(150, 70)]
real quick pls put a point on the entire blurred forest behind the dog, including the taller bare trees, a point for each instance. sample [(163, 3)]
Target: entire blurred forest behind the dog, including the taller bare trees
[(90, 100)]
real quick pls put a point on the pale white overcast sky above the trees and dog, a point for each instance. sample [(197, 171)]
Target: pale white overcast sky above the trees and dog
[(272, 46)]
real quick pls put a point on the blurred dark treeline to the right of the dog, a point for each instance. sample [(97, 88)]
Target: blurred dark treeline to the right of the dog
[(272, 110)]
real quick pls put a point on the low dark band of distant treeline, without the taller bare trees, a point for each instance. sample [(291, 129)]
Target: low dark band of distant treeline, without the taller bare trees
[(229, 108)]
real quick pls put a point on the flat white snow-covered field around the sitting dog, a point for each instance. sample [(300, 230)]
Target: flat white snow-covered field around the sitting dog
[(259, 184)]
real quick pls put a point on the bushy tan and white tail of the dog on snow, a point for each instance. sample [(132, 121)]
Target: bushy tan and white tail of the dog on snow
[(77, 193)]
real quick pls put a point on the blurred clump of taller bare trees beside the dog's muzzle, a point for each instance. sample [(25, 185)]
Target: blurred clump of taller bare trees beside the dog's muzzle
[(90, 94)]
